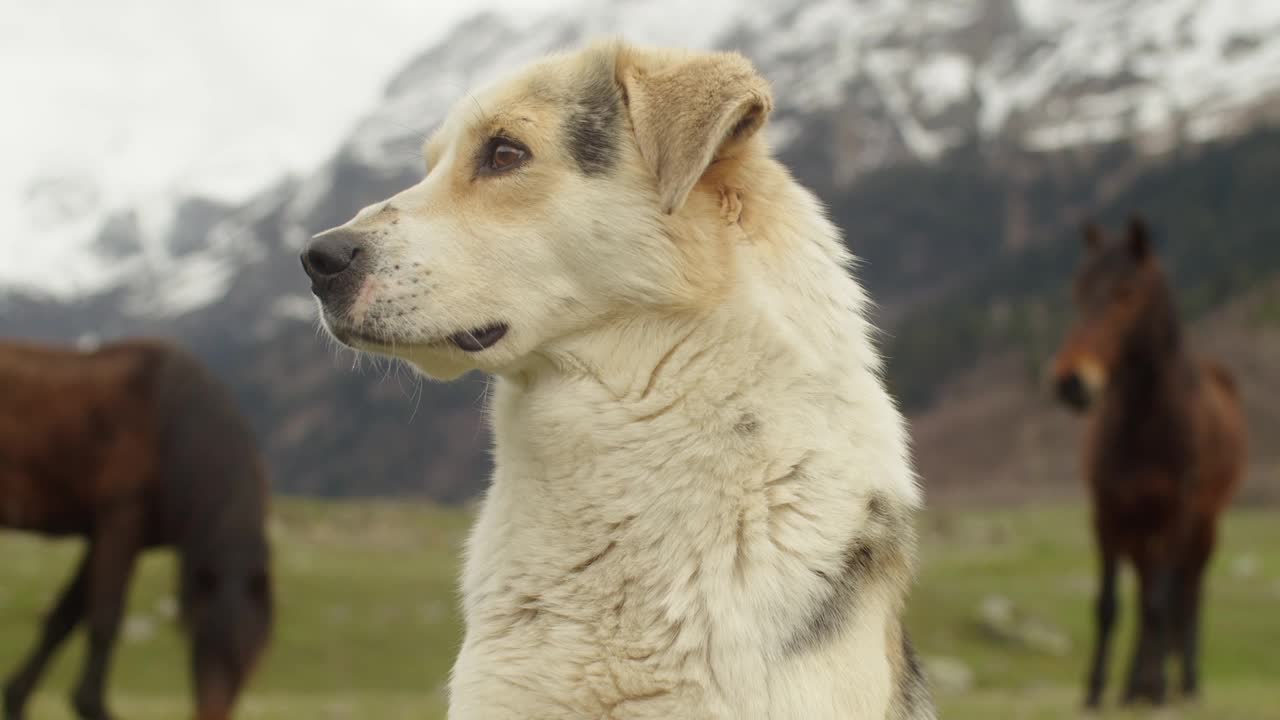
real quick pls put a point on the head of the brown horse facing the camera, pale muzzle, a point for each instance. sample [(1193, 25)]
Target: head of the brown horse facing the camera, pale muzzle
[(1118, 290)]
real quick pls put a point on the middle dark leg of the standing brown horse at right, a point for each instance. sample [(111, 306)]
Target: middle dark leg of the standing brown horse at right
[(1148, 673)]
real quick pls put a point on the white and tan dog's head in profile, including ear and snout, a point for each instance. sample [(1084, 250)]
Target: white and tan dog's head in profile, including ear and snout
[(575, 193)]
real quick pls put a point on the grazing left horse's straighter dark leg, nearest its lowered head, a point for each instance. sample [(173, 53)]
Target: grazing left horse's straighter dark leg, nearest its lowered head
[(118, 540)]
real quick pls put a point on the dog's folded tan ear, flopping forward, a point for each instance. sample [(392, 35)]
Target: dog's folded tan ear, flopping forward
[(689, 111)]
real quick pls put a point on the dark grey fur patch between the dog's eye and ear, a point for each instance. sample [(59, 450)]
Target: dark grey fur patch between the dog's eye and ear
[(592, 129)]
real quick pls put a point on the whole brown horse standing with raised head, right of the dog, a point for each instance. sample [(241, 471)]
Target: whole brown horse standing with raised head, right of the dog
[(1164, 457)]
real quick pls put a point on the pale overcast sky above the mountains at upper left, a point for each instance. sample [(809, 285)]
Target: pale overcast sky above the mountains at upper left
[(132, 98)]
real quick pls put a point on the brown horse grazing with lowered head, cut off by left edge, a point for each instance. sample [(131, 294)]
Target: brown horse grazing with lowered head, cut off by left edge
[(136, 446)]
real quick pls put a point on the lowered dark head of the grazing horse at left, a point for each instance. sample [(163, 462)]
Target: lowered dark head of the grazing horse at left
[(228, 610)]
